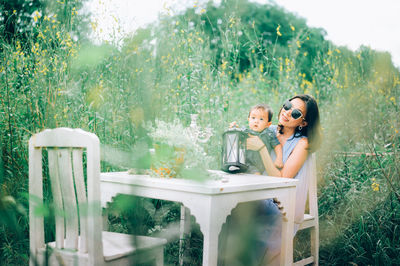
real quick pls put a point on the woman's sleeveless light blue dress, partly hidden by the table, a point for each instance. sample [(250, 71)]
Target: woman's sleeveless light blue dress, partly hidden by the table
[(263, 231)]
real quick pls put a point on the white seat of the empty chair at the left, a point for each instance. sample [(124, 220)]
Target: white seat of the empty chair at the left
[(117, 245)]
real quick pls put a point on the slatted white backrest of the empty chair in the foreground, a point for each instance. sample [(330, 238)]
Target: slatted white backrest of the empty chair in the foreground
[(77, 208)]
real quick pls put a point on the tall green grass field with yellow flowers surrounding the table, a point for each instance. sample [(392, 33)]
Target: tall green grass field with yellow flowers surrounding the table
[(169, 71)]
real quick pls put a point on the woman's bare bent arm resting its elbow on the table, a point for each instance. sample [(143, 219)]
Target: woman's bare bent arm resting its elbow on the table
[(293, 163)]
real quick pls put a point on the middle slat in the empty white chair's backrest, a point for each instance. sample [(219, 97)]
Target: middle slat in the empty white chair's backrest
[(69, 198)]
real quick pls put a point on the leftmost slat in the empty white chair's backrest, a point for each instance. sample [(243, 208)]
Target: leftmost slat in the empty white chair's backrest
[(57, 197)]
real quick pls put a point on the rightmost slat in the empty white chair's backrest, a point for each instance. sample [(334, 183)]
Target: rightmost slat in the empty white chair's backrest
[(77, 158)]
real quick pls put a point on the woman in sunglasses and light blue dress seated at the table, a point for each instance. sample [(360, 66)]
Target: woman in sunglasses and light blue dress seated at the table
[(299, 132)]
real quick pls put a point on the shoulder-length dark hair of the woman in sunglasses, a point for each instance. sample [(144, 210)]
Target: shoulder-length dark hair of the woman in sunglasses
[(313, 129)]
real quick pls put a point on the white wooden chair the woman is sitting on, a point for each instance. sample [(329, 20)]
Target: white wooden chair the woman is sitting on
[(311, 219)]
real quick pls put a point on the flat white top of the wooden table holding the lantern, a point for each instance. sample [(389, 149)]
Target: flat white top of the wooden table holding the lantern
[(219, 182)]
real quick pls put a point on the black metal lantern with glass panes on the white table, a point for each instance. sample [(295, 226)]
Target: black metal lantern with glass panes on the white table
[(234, 151)]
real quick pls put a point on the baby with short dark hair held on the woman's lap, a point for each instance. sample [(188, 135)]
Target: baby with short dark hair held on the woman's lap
[(259, 121)]
